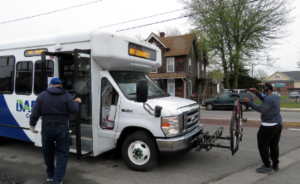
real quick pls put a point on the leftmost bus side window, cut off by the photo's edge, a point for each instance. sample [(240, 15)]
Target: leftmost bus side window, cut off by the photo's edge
[(7, 70)]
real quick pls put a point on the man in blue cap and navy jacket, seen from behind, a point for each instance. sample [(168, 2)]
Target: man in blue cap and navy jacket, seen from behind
[(54, 105)]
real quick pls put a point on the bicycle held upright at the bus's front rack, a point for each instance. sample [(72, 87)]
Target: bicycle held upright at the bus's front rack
[(236, 125)]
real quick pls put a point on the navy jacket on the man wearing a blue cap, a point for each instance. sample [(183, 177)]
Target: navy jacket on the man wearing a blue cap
[(54, 105)]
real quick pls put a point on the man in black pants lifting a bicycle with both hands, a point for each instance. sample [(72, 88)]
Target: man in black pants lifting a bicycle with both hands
[(269, 133)]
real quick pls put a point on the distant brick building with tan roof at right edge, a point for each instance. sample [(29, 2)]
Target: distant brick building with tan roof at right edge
[(284, 82)]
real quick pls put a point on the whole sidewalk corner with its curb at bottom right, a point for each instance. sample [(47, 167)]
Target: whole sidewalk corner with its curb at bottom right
[(288, 172)]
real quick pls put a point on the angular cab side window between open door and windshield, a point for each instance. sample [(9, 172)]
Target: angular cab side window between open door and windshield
[(109, 101)]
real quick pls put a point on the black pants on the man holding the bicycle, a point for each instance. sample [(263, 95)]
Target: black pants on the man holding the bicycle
[(268, 139)]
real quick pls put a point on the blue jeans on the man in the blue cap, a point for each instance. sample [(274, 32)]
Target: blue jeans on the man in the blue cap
[(55, 139)]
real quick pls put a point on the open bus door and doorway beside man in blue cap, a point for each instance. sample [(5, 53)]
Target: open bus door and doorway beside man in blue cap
[(75, 72)]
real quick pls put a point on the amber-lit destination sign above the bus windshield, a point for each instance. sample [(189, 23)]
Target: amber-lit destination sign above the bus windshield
[(143, 52)]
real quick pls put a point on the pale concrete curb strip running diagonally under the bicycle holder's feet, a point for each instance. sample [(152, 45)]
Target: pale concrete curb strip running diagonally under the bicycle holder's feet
[(249, 175)]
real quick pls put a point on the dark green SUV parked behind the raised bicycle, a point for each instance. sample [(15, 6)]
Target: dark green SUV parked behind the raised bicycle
[(224, 101)]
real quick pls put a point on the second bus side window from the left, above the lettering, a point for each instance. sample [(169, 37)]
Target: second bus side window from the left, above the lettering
[(24, 78)]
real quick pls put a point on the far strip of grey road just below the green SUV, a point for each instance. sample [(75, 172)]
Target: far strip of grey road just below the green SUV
[(249, 114)]
